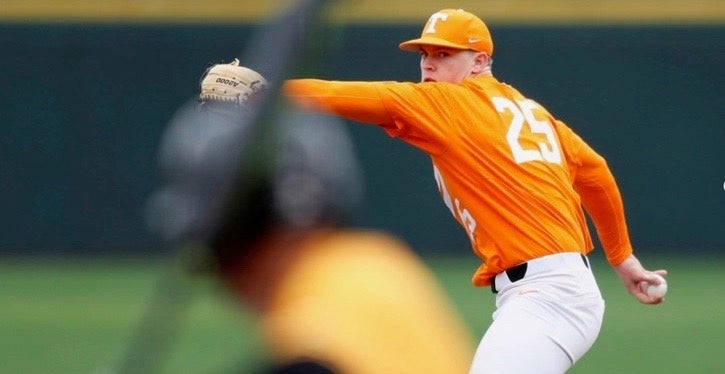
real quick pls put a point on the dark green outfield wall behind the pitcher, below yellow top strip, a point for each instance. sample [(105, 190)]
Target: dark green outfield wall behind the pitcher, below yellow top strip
[(84, 105)]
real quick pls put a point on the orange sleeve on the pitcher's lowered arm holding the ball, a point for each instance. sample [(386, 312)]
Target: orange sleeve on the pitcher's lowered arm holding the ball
[(594, 182)]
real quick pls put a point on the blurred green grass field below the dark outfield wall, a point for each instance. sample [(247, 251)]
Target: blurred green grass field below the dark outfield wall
[(73, 316)]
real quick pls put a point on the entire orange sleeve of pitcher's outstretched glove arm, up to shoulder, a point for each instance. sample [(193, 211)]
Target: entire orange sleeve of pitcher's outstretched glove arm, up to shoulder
[(416, 113)]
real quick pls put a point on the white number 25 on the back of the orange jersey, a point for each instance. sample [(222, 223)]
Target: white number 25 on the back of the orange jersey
[(522, 113)]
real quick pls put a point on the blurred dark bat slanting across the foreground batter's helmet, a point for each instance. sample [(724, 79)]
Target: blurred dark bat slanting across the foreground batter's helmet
[(272, 51)]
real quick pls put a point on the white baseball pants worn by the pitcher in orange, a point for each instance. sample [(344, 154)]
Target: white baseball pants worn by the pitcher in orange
[(545, 321)]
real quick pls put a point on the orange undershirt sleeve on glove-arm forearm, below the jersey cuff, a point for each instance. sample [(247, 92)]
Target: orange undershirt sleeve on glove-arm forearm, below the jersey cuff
[(358, 101)]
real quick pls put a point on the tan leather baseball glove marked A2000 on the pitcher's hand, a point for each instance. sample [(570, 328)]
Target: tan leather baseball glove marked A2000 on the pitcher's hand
[(230, 83)]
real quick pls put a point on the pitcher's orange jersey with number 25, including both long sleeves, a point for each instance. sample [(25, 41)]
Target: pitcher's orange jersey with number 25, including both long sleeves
[(511, 174)]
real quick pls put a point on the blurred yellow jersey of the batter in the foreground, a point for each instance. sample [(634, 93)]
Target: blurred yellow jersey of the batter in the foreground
[(361, 302)]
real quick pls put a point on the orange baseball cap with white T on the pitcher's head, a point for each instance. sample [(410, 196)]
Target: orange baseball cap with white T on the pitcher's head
[(453, 28)]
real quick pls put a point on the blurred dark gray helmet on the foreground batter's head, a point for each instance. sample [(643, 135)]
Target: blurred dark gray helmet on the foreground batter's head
[(221, 182)]
